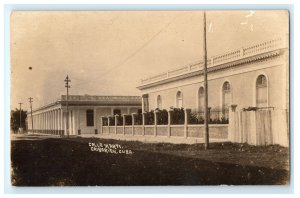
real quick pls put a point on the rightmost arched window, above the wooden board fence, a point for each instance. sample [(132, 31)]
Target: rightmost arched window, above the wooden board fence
[(261, 91)]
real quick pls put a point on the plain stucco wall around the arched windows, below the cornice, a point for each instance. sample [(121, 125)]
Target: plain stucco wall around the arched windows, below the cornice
[(242, 80)]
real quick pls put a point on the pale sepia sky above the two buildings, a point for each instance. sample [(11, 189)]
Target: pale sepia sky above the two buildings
[(109, 52)]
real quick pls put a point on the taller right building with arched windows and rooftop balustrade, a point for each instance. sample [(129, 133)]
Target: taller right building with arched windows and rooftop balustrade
[(253, 76)]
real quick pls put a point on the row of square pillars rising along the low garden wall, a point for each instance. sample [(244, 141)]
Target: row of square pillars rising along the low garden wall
[(115, 124)]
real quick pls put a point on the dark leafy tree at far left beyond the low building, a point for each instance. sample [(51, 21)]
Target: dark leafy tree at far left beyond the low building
[(15, 119)]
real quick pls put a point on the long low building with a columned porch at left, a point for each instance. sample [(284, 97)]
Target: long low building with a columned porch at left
[(84, 115)]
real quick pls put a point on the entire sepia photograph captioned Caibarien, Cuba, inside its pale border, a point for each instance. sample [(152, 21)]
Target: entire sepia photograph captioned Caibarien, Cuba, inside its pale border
[(149, 98)]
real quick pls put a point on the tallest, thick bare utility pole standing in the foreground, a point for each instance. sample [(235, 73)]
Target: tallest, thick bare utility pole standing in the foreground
[(206, 118)]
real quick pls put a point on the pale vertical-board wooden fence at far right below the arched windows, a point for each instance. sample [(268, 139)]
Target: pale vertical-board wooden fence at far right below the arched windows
[(259, 127)]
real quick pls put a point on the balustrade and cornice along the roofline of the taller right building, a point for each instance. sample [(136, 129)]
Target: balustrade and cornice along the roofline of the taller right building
[(246, 55)]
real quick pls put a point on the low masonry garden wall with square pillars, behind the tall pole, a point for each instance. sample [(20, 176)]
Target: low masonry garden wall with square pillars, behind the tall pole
[(130, 126)]
